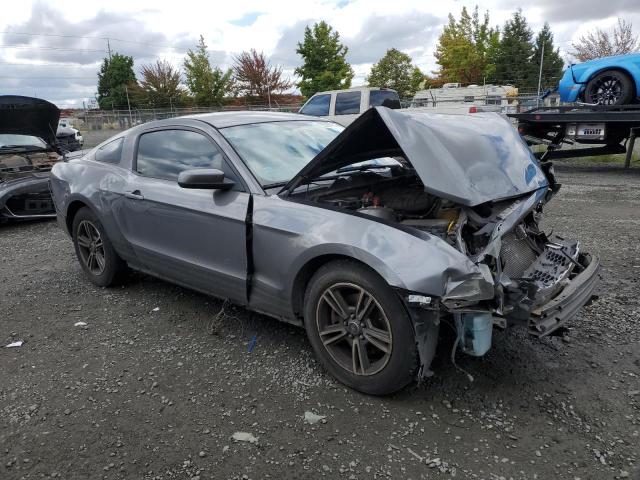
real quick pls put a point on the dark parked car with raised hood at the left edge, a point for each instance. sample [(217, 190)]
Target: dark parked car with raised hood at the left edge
[(28, 150)]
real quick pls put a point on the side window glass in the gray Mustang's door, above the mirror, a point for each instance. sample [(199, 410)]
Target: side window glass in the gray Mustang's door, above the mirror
[(166, 153)]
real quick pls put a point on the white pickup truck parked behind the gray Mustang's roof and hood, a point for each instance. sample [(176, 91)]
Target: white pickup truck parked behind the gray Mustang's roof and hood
[(344, 106)]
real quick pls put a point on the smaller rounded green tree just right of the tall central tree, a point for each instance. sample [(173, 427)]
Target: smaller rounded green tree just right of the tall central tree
[(396, 71)]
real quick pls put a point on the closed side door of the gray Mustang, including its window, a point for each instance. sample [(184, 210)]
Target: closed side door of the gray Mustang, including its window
[(195, 237)]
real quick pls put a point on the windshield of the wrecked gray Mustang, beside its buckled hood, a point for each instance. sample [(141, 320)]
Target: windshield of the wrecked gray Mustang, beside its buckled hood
[(276, 151)]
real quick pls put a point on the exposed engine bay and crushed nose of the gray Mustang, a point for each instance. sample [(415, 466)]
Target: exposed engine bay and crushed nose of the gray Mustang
[(524, 268)]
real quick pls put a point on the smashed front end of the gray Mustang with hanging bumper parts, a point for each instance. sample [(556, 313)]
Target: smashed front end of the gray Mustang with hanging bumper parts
[(537, 281)]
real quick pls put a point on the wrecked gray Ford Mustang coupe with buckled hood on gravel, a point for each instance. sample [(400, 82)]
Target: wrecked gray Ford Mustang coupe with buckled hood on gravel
[(368, 236)]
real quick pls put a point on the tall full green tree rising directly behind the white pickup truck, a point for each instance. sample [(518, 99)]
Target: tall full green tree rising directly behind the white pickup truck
[(325, 65)]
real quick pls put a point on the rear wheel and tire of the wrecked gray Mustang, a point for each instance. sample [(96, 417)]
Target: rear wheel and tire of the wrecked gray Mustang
[(89, 237)]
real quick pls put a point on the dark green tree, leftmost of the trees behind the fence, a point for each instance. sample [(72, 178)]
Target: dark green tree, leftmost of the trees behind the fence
[(116, 74)]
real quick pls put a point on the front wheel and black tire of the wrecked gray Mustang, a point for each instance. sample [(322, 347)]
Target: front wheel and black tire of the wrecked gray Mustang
[(386, 372)]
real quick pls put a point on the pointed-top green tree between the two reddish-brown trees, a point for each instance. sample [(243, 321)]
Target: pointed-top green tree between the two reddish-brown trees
[(208, 85)]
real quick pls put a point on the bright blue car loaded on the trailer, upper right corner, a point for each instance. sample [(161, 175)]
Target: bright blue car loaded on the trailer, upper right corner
[(604, 81)]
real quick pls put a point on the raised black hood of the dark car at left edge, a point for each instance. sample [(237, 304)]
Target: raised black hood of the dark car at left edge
[(29, 116)]
